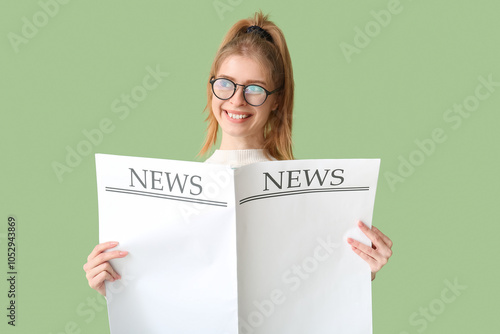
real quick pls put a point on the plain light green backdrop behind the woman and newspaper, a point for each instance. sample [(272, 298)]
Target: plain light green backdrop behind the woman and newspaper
[(442, 216)]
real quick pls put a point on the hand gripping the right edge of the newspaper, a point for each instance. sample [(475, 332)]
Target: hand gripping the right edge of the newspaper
[(378, 254)]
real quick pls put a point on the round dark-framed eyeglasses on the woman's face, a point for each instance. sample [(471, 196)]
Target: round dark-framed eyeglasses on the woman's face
[(254, 95)]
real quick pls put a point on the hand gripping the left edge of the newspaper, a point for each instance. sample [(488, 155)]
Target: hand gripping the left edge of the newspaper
[(98, 268)]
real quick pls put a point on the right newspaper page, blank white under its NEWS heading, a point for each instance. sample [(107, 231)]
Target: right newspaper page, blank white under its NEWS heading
[(296, 272)]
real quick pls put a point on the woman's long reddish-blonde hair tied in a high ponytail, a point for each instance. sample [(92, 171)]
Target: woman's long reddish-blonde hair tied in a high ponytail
[(271, 55)]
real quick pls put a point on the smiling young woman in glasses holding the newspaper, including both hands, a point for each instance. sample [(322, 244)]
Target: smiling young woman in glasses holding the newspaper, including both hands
[(250, 98)]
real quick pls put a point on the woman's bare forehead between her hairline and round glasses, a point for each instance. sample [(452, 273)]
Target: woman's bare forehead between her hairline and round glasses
[(243, 70)]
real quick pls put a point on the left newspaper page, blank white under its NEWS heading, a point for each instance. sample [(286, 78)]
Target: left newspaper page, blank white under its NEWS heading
[(177, 221)]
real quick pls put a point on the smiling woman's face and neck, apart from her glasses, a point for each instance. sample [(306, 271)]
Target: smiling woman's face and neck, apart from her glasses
[(242, 124)]
